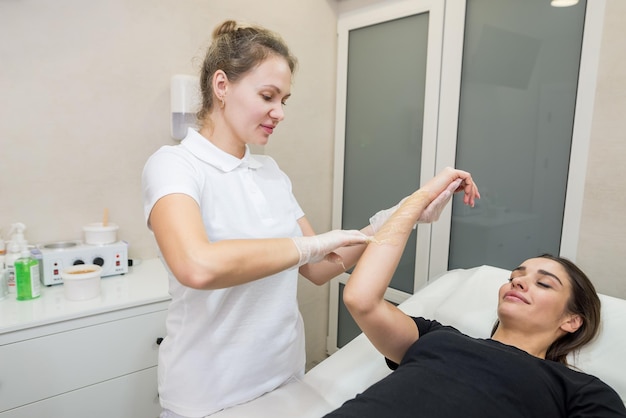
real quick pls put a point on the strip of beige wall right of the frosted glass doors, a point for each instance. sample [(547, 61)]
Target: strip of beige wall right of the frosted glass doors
[(602, 244)]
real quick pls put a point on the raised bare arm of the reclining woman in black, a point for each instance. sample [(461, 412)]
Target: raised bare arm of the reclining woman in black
[(389, 329)]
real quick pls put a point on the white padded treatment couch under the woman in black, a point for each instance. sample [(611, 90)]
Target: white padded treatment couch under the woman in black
[(465, 299)]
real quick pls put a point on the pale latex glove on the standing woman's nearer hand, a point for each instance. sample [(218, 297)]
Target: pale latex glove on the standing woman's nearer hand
[(316, 248)]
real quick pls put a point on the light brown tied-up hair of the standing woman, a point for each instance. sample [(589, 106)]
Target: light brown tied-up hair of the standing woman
[(236, 49)]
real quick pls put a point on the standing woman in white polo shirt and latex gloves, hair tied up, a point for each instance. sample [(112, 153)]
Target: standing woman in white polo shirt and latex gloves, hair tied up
[(234, 237)]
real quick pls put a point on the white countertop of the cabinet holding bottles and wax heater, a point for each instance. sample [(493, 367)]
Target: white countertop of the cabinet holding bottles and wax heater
[(145, 283)]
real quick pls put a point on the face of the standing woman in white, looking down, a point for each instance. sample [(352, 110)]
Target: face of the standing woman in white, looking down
[(254, 104)]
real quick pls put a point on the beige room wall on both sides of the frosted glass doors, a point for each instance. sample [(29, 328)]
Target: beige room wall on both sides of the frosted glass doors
[(84, 100)]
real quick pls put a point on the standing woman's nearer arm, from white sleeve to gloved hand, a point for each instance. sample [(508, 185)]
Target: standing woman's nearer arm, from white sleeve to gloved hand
[(199, 263)]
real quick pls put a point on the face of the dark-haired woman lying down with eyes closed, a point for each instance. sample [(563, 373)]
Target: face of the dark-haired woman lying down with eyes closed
[(536, 297)]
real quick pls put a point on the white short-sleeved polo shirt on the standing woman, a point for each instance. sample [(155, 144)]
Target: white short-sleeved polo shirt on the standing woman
[(227, 346)]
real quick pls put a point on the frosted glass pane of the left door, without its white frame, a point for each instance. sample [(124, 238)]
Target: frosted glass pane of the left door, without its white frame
[(384, 121)]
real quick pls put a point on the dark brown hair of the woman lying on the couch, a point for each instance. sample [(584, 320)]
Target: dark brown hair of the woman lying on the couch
[(583, 301)]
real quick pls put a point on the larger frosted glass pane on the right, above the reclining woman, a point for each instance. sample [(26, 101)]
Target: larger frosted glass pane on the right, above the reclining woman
[(516, 119)]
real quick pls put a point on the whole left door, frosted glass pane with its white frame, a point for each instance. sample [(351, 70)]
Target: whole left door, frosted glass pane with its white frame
[(388, 96)]
